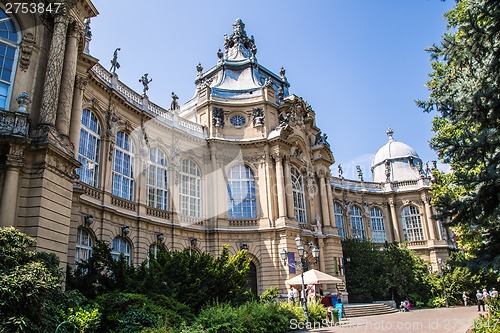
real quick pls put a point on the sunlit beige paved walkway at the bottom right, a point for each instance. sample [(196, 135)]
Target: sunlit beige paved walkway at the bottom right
[(442, 320)]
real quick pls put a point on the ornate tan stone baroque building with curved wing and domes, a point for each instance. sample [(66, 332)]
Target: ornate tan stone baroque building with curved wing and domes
[(83, 158)]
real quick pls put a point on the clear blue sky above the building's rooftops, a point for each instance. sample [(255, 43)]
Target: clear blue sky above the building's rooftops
[(359, 63)]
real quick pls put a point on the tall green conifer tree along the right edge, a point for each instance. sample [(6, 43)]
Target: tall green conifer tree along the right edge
[(465, 91)]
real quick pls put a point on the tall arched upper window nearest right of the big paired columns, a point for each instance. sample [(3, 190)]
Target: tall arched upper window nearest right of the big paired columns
[(88, 150)]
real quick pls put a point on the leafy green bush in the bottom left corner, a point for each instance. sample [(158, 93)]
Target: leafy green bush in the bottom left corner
[(29, 281)]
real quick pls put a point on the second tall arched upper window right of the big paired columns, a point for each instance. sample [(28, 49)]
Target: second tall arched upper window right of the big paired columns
[(123, 170)]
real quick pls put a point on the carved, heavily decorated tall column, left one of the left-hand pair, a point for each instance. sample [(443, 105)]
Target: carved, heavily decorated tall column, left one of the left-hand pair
[(53, 72)]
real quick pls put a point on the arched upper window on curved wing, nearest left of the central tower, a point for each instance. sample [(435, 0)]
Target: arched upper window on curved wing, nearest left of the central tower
[(190, 190)]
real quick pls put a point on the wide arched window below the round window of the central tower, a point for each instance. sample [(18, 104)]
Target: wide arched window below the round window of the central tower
[(241, 193)]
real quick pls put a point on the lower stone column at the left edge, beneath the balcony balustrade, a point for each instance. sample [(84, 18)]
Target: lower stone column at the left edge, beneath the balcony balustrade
[(8, 205)]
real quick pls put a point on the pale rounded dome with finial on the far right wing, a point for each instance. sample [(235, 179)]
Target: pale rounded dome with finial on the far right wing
[(395, 162)]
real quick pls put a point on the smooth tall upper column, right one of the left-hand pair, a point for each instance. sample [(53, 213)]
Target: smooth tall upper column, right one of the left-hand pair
[(66, 94)]
